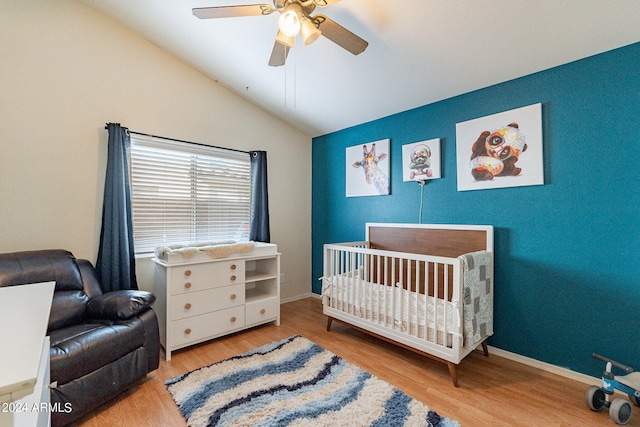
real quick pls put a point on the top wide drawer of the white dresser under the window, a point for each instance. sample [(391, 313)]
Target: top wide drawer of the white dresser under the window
[(198, 277)]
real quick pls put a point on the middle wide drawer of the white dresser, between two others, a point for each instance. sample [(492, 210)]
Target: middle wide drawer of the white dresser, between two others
[(201, 302)]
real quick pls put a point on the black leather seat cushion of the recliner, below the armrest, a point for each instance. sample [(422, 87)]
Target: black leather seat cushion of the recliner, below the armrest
[(80, 349)]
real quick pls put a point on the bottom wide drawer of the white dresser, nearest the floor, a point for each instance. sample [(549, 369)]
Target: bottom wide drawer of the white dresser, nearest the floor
[(197, 328)]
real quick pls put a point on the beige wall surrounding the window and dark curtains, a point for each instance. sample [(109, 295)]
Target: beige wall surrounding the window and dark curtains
[(66, 70)]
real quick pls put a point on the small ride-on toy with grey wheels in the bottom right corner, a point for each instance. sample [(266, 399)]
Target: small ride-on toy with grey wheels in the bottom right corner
[(598, 398)]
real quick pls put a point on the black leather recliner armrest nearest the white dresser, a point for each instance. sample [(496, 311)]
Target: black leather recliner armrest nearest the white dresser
[(119, 305)]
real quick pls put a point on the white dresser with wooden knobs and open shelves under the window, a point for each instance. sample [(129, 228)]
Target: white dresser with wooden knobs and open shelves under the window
[(200, 297)]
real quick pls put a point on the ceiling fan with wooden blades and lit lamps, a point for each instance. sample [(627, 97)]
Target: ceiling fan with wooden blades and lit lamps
[(295, 18)]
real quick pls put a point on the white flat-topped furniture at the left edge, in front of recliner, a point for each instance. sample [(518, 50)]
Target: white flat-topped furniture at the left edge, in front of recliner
[(24, 315)]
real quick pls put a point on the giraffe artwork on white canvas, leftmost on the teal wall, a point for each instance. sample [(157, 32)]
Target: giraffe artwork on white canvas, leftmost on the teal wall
[(367, 169)]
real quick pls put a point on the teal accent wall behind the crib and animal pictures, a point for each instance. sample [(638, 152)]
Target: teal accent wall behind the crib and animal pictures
[(567, 254)]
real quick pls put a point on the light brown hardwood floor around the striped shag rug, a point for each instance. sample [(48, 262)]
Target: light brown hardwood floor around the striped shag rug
[(493, 391)]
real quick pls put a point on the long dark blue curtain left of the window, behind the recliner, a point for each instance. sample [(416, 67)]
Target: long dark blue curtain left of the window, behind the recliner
[(116, 264)]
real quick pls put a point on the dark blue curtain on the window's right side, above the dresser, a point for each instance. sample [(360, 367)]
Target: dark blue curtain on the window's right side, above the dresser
[(259, 231)]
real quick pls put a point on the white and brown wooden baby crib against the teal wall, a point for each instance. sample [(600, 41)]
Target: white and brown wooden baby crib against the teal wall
[(425, 287)]
